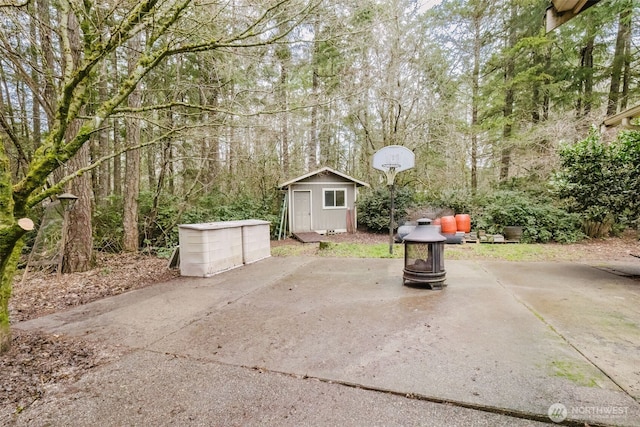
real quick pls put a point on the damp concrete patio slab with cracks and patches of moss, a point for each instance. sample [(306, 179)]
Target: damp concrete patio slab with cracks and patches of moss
[(338, 341)]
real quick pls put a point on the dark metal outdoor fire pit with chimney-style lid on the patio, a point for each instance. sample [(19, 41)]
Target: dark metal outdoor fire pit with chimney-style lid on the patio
[(424, 256)]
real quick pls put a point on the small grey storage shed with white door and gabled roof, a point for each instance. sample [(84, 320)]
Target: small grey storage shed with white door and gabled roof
[(323, 201)]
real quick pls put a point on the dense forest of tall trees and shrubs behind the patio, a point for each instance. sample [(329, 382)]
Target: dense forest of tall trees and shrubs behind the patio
[(159, 113)]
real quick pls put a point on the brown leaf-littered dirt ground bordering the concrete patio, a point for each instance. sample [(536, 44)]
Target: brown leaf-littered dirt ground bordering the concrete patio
[(38, 362)]
